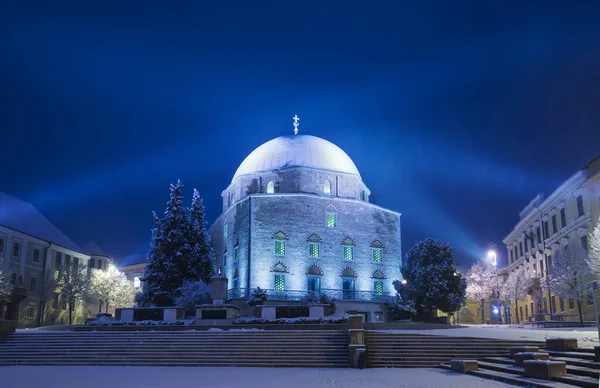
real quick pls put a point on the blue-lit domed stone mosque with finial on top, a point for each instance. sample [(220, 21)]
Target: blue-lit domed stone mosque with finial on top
[(297, 218)]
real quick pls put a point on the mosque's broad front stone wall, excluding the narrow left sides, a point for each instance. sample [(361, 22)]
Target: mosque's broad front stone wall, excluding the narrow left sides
[(301, 215)]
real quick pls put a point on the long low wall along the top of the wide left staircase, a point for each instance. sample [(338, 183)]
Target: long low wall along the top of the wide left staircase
[(205, 328)]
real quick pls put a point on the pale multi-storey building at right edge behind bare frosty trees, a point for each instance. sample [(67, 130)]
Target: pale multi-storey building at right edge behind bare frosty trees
[(547, 226)]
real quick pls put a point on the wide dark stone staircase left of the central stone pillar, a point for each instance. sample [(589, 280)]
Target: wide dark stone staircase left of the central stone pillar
[(321, 348)]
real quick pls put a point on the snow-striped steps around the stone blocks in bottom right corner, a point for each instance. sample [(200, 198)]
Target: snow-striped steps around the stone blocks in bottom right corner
[(582, 370)]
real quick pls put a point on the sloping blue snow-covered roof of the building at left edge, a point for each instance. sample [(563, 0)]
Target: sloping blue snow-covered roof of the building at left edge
[(22, 216)]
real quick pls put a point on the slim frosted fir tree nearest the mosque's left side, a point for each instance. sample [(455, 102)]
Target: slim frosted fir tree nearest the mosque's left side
[(203, 257)]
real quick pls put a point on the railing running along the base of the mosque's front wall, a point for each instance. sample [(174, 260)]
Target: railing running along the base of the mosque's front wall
[(294, 295)]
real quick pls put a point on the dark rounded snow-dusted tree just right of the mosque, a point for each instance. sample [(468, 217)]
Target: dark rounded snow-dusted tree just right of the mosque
[(431, 279)]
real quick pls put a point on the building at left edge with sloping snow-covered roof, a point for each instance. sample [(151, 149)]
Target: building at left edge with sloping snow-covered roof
[(32, 252)]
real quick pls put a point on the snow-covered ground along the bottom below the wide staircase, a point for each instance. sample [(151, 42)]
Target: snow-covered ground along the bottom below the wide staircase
[(168, 377)]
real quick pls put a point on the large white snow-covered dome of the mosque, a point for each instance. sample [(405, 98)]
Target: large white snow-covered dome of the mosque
[(297, 151)]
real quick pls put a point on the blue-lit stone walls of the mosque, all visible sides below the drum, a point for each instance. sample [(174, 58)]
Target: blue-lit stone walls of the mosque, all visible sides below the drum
[(299, 215)]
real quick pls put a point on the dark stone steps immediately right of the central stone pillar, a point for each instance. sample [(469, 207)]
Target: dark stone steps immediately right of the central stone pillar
[(390, 350)]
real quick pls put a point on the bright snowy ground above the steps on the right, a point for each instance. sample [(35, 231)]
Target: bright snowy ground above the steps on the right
[(586, 336)]
